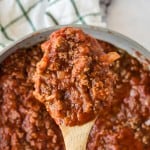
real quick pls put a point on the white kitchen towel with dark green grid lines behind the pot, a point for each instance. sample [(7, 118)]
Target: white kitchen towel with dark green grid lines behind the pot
[(20, 17)]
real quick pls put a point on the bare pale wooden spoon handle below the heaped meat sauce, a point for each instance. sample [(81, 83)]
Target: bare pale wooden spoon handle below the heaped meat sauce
[(76, 137)]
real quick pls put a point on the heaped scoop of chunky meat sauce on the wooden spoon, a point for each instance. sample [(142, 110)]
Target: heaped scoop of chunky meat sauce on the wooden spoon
[(73, 79)]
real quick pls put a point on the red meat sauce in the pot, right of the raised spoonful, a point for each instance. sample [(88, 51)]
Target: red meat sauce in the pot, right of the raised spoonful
[(127, 124)]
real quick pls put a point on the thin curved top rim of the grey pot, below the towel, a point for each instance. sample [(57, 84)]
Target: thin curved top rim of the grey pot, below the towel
[(88, 27)]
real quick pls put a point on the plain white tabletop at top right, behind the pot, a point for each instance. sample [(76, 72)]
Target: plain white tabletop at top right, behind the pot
[(131, 18)]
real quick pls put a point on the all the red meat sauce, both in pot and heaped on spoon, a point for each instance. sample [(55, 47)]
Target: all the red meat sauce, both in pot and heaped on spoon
[(123, 105)]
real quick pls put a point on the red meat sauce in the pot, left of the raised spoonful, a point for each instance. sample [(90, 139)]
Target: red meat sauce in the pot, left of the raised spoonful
[(24, 122)]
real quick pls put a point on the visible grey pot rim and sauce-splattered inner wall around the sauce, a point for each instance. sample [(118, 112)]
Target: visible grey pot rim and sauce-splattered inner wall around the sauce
[(112, 37)]
